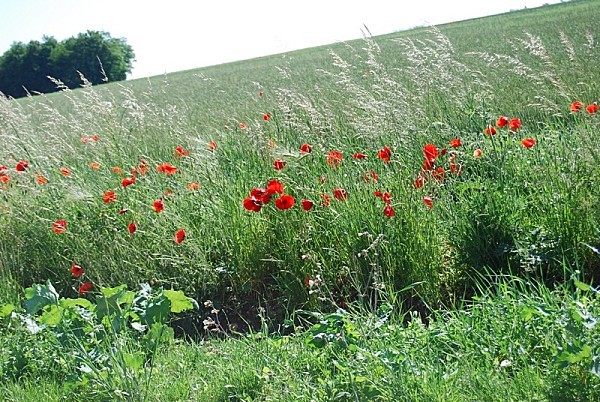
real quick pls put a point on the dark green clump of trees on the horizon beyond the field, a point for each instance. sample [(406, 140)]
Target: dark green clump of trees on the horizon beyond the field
[(94, 55)]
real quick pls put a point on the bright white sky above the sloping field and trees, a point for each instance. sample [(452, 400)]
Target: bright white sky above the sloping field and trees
[(175, 35)]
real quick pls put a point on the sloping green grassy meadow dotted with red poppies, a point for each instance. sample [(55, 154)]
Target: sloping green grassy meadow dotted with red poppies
[(412, 216)]
